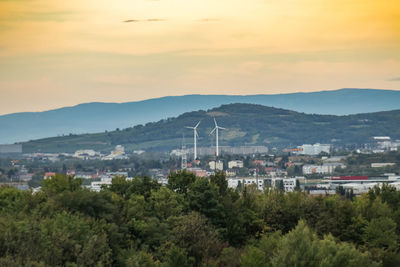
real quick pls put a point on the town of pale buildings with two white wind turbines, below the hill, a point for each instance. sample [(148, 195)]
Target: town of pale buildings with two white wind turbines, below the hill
[(317, 169)]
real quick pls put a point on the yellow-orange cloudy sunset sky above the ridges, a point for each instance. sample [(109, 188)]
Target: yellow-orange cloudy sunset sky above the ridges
[(62, 53)]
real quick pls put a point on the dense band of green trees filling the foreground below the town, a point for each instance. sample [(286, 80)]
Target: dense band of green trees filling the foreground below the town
[(194, 222)]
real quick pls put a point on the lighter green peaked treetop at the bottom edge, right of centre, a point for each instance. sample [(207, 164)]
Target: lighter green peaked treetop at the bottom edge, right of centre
[(302, 247)]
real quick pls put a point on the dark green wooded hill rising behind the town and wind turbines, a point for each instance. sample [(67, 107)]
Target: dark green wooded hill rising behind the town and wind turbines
[(246, 124)]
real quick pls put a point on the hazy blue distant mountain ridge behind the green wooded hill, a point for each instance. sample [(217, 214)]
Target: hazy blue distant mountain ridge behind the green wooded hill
[(98, 117)]
